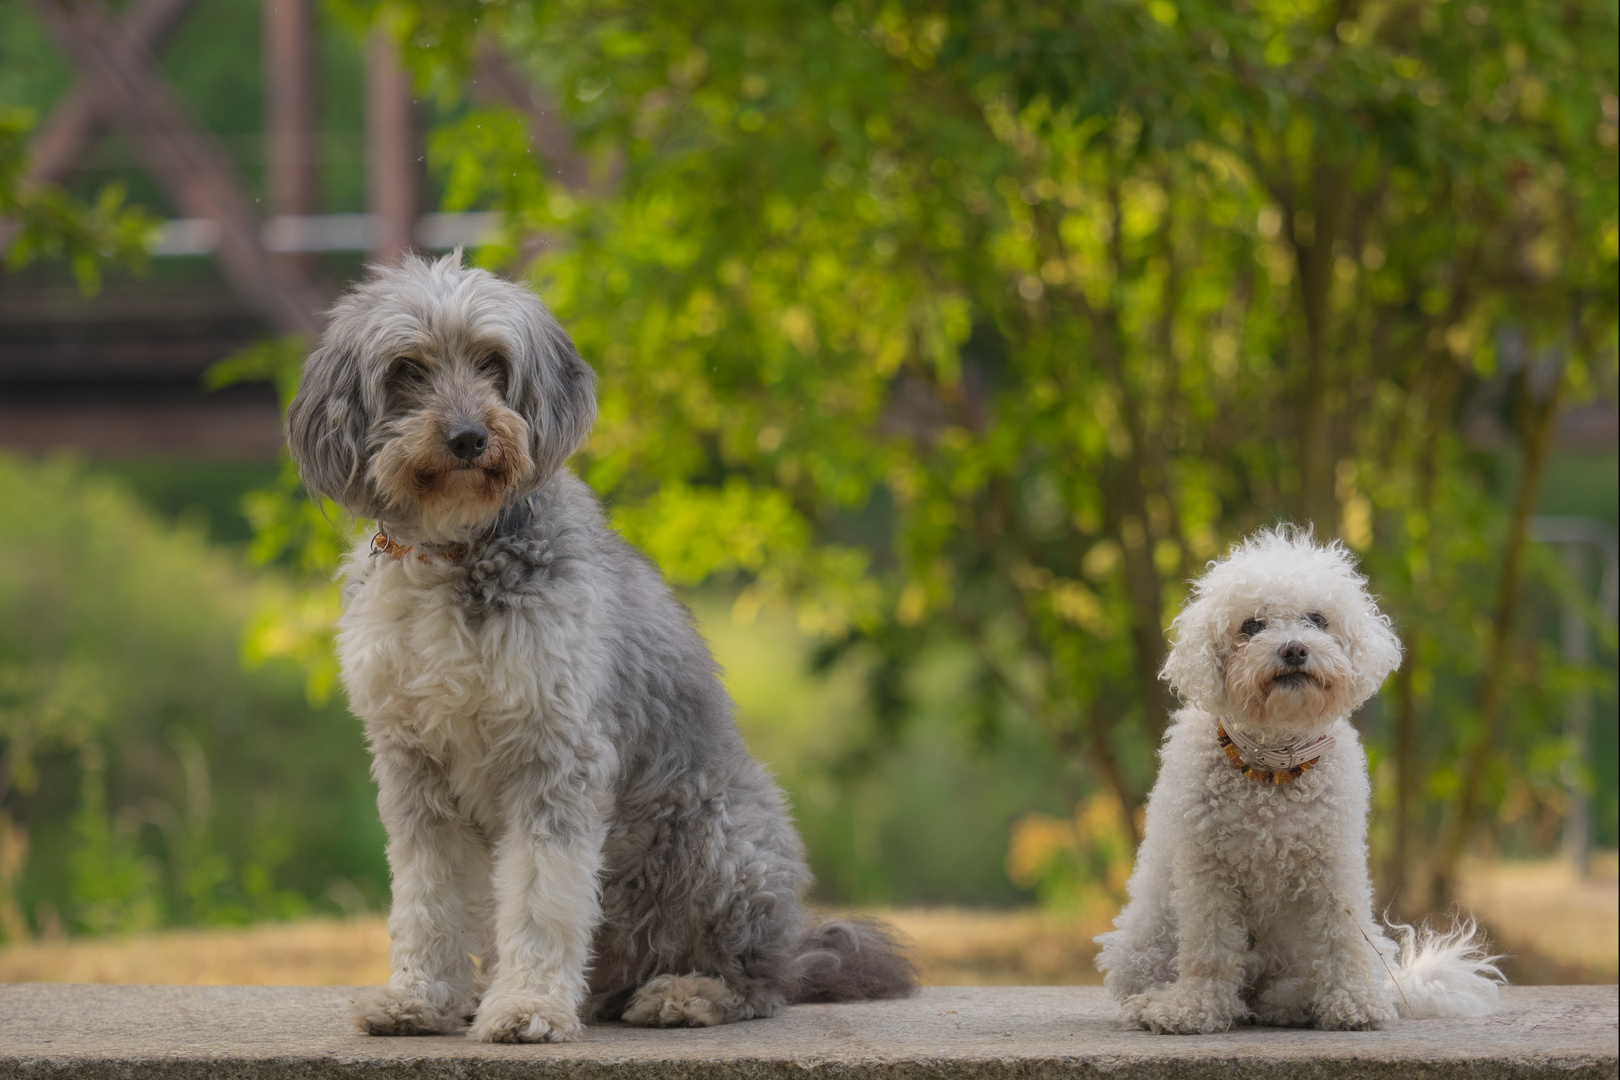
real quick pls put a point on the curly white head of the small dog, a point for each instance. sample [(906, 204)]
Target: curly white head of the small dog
[(1282, 636)]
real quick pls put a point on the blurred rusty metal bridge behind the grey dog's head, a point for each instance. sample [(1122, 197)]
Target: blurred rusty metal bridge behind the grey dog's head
[(119, 373)]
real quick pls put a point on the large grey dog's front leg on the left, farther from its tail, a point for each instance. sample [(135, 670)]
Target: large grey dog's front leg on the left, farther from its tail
[(440, 867)]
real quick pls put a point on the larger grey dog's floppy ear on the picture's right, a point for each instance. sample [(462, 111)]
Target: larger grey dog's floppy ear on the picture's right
[(556, 394)]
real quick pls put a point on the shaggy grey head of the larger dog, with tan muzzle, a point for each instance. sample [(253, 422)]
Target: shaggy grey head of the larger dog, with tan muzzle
[(438, 398)]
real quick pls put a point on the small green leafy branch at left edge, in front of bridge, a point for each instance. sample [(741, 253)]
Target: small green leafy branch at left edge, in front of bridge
[(51, 224)]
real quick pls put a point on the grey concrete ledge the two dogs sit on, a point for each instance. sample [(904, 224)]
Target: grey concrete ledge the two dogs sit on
[(1039, 1032)]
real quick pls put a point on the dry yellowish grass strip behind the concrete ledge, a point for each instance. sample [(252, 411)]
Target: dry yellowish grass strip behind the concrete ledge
[(1556, 927)]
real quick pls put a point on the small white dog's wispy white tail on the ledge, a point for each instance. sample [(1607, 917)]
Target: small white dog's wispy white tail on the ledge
[(1444, 974)]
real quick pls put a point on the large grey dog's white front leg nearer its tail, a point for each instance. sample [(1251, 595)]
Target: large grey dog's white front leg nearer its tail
[(547, 911)]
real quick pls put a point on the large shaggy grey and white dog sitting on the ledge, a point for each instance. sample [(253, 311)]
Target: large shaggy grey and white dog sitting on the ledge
[(563, 783)]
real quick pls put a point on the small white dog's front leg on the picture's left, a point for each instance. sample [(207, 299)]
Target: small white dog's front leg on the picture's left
[(1211, 953)]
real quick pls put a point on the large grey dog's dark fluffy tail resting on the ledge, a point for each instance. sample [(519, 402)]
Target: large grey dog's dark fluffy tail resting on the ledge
[(851, 959)]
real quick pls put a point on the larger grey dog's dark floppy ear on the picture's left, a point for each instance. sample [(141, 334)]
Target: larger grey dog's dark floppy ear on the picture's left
[(326, 427)]
